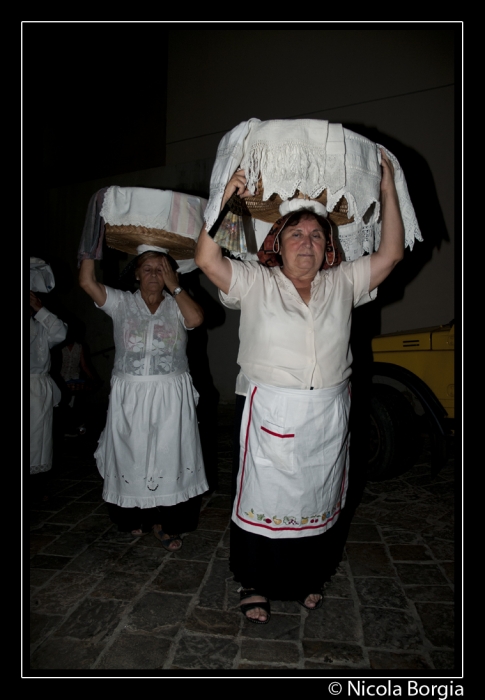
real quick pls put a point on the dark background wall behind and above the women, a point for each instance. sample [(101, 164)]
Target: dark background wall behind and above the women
[(146, 104)]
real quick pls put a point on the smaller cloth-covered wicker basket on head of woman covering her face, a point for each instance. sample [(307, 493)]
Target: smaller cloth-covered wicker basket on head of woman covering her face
[(170, 220)]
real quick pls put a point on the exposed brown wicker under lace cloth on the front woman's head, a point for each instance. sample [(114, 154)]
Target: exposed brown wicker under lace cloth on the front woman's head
[(269, 210)]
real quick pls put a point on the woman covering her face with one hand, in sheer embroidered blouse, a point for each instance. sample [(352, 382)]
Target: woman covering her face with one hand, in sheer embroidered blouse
[(149, 453)]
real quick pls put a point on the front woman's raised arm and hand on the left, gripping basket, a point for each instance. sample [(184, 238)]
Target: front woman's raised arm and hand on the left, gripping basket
[(208, 255)]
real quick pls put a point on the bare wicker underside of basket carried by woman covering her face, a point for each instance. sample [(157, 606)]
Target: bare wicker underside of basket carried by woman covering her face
[(128, 238)]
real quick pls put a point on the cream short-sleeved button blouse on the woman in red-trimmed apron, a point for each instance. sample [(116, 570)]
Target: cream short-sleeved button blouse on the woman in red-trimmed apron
[(284, 342)]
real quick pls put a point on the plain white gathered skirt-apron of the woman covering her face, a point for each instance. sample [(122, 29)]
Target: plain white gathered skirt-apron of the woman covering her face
[(149, 453)]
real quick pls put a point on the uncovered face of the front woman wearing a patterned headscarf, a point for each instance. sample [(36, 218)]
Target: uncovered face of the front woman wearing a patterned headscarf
[(303, 245)]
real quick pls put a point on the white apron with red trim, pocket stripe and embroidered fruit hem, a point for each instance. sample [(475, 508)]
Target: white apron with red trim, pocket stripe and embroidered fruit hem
[(293, 470)]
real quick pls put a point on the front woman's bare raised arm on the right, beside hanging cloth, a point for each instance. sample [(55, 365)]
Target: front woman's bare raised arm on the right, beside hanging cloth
[(391, 247)]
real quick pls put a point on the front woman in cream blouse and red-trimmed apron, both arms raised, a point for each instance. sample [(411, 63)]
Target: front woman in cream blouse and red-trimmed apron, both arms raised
[(294, 353)]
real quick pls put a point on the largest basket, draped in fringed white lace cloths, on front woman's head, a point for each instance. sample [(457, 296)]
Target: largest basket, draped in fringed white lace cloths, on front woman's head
[(306, 158)]
